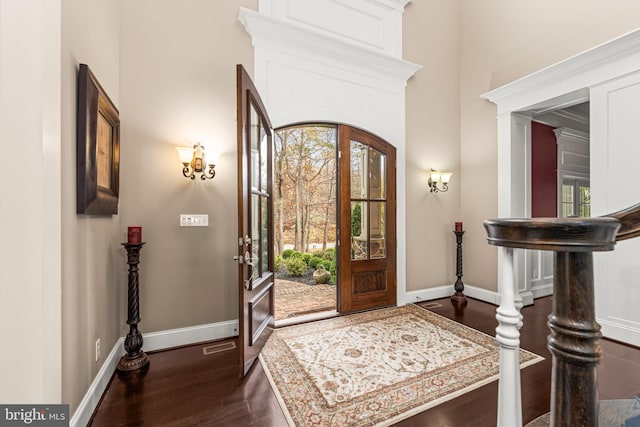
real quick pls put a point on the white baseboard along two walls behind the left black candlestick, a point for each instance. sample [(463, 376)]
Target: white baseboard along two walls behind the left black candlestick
[(152, 342)]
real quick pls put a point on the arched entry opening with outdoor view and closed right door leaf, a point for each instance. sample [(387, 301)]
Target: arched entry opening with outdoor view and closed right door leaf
[(334, 221)]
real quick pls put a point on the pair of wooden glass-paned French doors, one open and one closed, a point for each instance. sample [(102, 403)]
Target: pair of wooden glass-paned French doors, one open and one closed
[(366, 221)]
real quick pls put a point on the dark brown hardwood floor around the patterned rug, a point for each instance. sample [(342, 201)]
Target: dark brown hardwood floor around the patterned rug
[(183, 387)]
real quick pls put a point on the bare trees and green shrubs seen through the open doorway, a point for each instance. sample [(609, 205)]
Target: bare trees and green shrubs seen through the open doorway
[(305, 200)]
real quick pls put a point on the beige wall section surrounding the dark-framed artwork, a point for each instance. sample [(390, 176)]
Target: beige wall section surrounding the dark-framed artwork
[(91, 259)]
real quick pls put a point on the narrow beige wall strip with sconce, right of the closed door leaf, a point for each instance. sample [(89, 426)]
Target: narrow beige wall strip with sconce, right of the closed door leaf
[(431, 38)]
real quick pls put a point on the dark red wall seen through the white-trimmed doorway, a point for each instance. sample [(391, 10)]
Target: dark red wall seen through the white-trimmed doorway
[(544, 163)]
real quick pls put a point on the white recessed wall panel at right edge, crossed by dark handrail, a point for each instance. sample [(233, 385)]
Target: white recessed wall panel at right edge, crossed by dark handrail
[(614, 185)]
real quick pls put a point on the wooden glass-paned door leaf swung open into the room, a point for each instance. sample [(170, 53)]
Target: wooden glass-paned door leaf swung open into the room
[(255, 222)]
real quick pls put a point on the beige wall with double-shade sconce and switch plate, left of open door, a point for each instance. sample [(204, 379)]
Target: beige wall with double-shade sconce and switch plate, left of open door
[(178, 86)]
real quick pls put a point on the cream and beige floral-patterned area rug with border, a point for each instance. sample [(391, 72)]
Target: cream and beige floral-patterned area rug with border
[(377, 368)]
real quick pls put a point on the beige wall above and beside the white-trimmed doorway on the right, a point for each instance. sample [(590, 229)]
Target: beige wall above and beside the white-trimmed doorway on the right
[(502, 40)]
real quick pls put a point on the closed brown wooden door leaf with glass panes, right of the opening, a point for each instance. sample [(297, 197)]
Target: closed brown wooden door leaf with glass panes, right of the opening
[(367, 268)]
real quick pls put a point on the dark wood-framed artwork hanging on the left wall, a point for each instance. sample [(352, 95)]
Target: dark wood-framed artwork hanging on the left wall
[(98, 148)]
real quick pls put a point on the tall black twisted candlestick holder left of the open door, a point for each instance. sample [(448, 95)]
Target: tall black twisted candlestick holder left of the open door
[(135, 357)]
